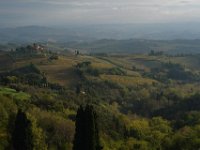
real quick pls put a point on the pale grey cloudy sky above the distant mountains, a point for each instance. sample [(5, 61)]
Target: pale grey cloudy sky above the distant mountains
[(60, 12)]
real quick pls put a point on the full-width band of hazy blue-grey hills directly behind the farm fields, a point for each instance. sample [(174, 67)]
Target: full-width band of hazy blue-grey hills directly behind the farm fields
[(131, 46)]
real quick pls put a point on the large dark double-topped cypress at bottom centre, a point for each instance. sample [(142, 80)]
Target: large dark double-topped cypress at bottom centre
[(87, 133)]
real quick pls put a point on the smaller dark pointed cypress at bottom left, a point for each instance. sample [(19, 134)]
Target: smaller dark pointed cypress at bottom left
[(22, 134)]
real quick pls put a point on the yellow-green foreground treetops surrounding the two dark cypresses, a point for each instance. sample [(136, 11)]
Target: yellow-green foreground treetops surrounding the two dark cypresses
[(54, 128)]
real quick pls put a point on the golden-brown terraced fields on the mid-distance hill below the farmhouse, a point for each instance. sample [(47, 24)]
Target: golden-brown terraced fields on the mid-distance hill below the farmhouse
[(62, 70)]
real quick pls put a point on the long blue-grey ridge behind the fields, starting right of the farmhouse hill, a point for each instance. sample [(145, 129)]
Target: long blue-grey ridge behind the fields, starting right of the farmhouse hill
[(137, 46)]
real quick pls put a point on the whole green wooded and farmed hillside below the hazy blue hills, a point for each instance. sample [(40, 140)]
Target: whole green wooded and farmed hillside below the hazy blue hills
[(75, 101)]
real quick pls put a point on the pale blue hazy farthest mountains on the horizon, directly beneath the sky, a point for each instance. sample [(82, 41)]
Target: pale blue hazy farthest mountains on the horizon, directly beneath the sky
[(97, 32)]
